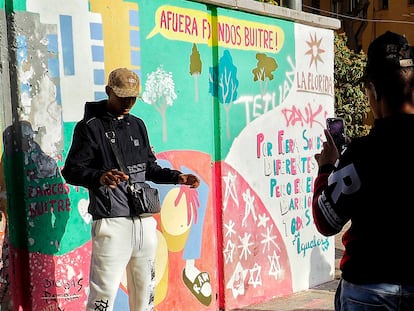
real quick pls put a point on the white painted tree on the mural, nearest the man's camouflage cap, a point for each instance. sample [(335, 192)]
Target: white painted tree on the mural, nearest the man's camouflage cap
[(160, 92)]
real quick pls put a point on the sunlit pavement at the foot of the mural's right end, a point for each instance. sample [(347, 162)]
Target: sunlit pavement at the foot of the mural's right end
[(319, 298)]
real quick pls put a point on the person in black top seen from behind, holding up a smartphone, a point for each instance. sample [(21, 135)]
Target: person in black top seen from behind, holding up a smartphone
[(370, 184)]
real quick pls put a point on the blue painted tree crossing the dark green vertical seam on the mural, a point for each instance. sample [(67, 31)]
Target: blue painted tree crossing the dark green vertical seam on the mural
[(224, 84)]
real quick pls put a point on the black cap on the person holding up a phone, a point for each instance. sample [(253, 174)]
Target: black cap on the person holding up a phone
[(389, 51)]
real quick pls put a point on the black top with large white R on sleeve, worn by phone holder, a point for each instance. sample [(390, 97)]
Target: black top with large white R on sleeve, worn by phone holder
[(373, 186)]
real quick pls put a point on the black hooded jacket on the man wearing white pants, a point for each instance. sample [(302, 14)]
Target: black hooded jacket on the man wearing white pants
[(91, 155)]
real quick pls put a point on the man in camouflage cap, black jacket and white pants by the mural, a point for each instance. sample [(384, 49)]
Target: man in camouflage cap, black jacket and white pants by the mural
[(121, 239)]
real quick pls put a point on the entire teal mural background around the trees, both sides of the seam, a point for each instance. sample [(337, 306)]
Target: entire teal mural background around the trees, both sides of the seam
[(196, 124)]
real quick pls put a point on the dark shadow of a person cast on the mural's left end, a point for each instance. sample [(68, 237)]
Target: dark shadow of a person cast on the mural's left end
[(37, 215)]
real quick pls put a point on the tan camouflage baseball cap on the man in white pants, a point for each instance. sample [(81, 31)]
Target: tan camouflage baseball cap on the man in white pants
[(124, 82)]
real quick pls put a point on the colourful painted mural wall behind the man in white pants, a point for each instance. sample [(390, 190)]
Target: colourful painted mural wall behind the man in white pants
[(236, 98)]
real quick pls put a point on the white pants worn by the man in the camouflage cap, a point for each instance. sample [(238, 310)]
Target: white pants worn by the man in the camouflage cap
[(120, 244)]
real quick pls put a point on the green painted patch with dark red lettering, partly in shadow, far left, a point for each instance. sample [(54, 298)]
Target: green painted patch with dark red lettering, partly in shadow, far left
[(44, 217)]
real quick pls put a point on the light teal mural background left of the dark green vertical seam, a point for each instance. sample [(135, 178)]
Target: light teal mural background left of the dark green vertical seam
[(189, 122)]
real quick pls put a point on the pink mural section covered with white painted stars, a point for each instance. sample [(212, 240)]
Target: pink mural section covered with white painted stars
[(255, 260)]
